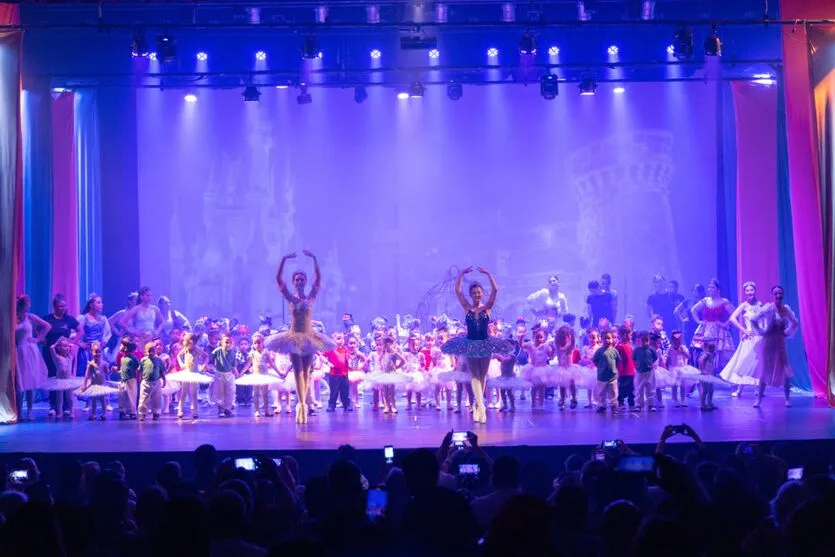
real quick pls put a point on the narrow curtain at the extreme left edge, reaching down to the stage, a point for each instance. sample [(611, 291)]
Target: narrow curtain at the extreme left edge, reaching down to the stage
[(11, 205)]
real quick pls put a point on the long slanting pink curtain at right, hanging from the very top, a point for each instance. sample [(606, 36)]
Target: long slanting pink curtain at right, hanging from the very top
[(804, 176)]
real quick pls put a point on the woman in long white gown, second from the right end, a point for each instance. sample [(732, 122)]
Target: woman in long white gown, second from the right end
[(743, 369)]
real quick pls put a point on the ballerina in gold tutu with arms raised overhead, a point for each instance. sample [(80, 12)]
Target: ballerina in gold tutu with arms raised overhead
[(301, 342)]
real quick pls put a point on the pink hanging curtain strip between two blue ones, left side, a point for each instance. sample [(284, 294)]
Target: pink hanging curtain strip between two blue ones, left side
[(65, 207)]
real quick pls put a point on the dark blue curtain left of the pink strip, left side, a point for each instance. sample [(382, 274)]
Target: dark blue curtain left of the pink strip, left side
[(37, 195)]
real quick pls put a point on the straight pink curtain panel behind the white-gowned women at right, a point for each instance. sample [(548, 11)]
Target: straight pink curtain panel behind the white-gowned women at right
[(755, 109)]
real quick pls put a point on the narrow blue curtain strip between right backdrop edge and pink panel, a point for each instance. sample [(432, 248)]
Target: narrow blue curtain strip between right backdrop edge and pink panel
[(726, 192)]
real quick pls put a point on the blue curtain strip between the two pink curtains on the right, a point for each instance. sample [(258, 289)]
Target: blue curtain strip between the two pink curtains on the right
[(785, 246)]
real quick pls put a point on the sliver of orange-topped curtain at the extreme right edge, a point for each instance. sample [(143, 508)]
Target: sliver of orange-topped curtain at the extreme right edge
[(825, 114)]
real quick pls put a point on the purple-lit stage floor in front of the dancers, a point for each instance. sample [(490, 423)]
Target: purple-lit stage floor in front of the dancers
[(734, 420)]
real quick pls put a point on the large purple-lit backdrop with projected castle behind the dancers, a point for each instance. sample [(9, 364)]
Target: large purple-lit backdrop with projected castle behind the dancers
[(392, 193)]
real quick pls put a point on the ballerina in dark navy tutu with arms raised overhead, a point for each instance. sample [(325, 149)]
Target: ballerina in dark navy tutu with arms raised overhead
[(478, 346)]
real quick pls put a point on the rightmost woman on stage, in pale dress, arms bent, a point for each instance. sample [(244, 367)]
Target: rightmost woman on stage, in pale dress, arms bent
[(776, 322)]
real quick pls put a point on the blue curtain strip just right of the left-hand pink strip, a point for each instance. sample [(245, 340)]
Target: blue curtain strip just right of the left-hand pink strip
[(89, 193)]
